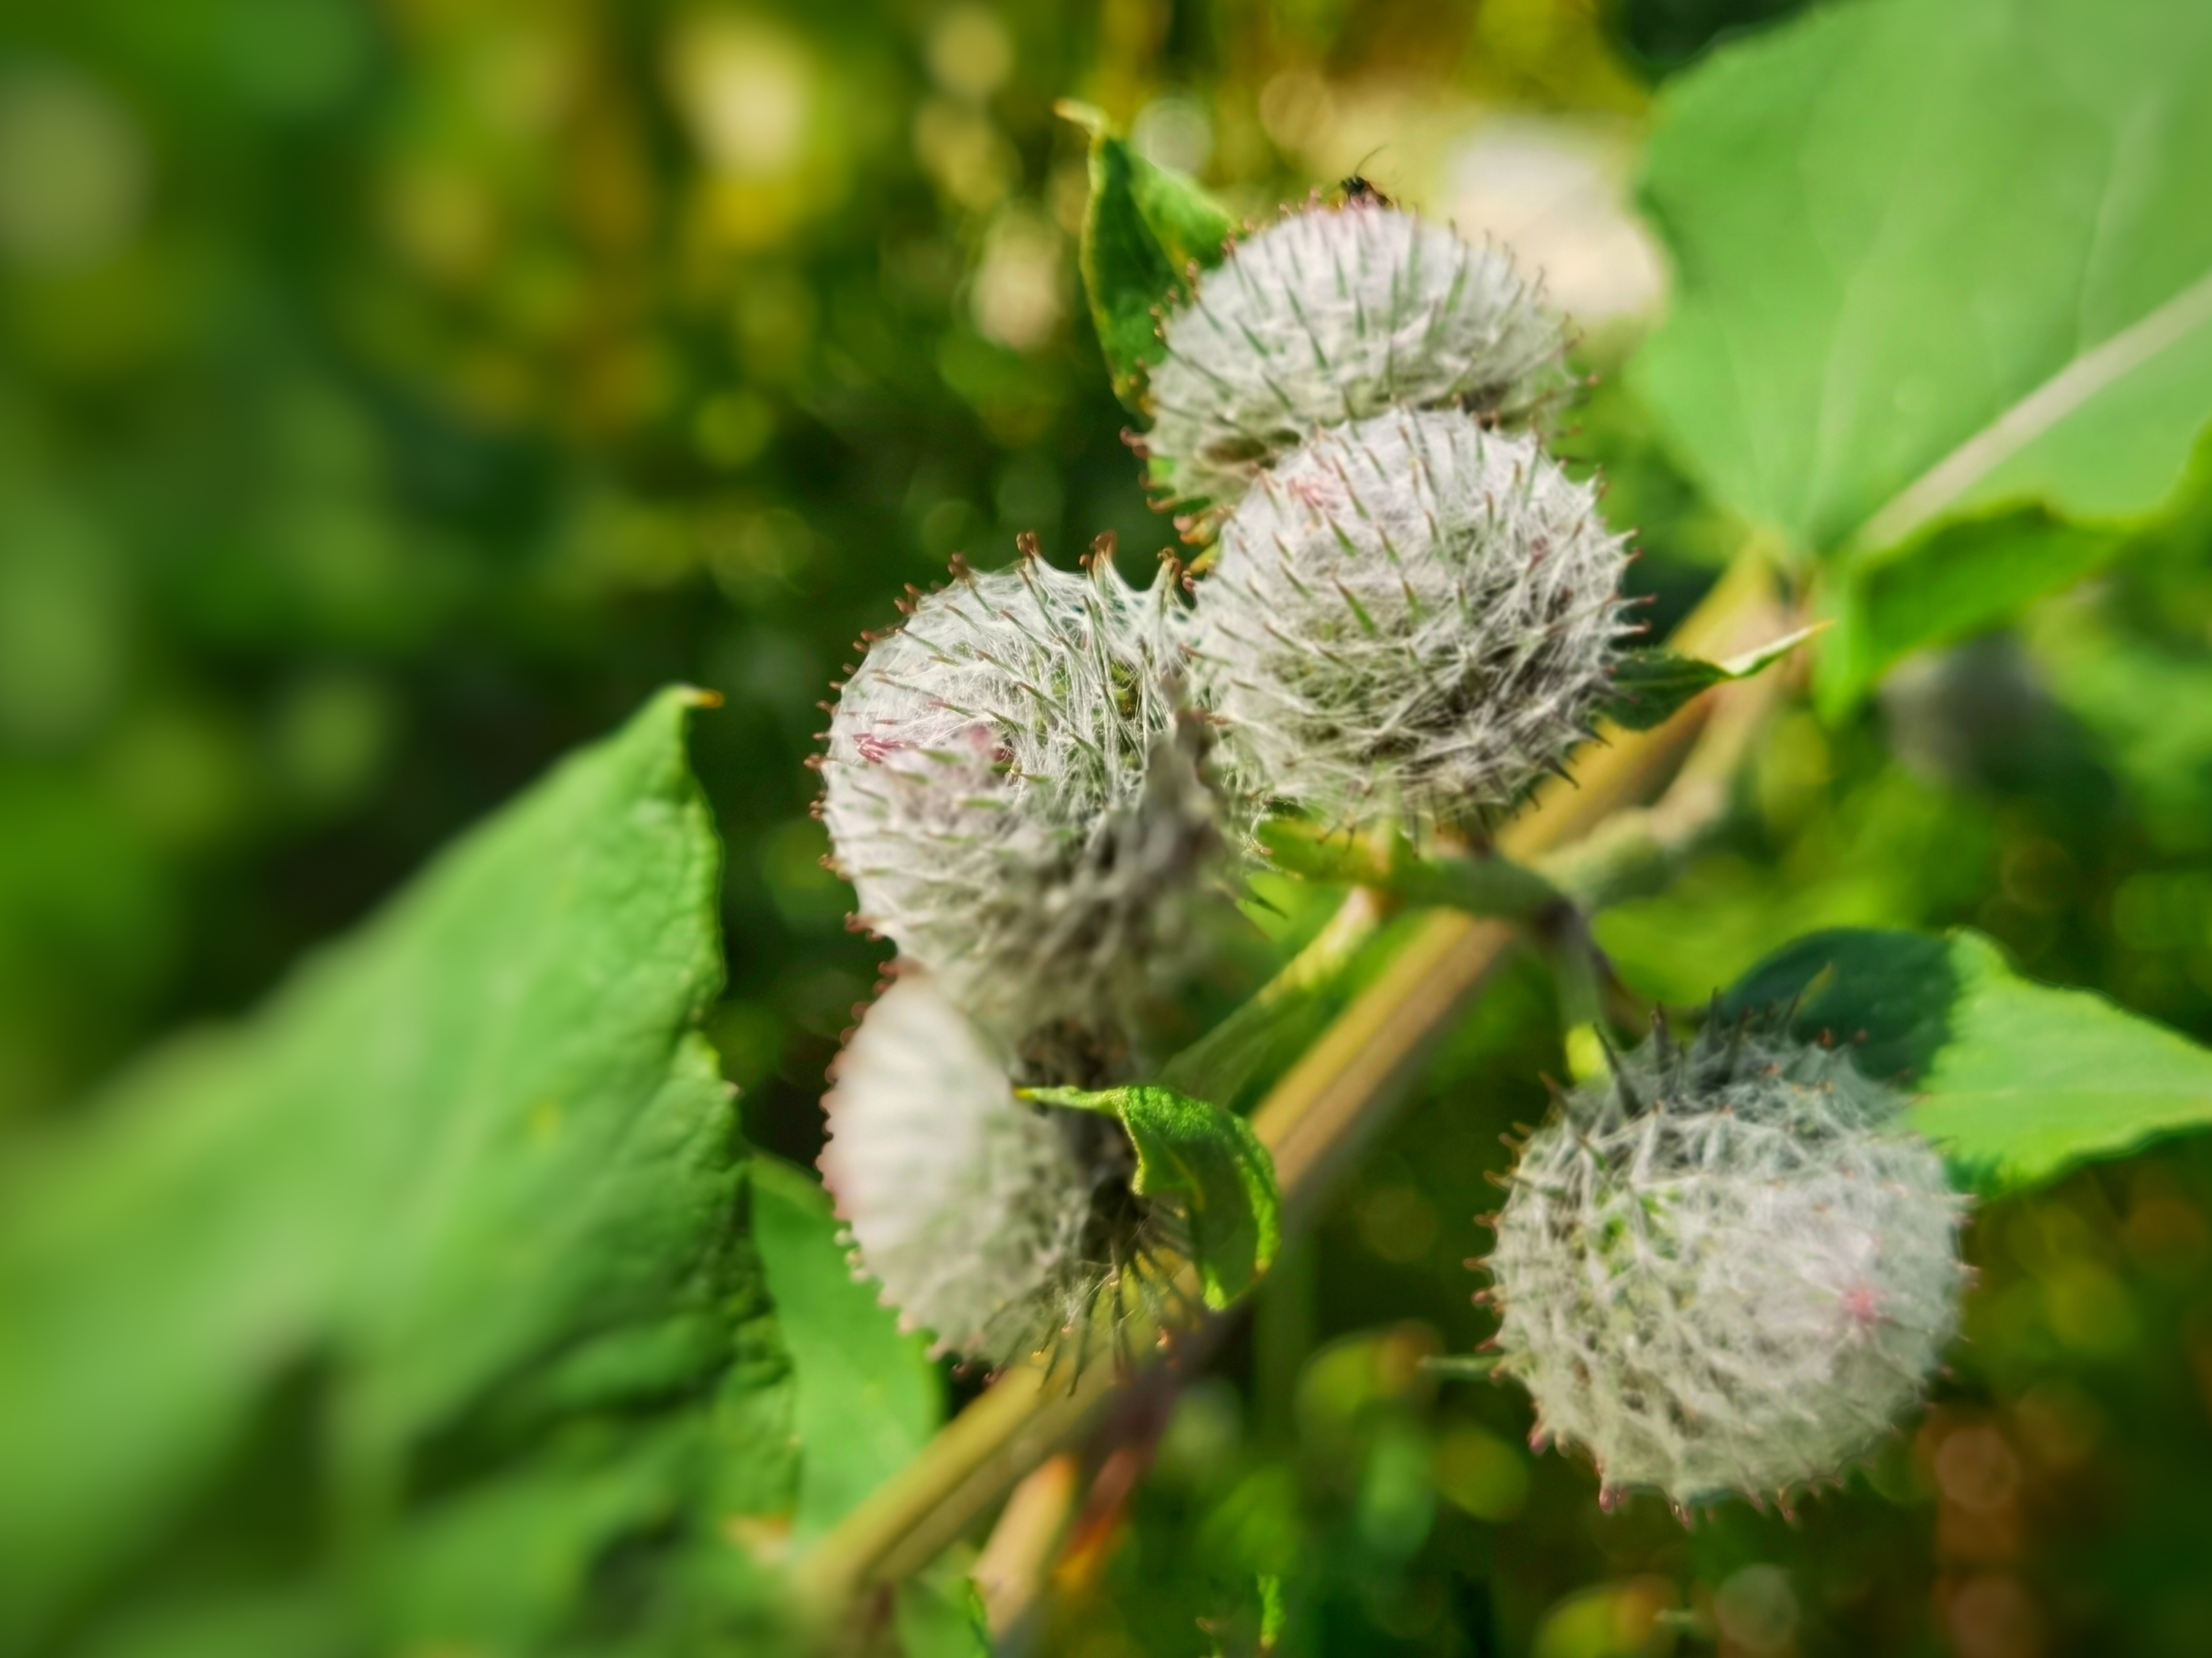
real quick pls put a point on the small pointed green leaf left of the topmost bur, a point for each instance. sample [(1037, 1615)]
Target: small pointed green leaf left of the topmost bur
[(1142, 233)]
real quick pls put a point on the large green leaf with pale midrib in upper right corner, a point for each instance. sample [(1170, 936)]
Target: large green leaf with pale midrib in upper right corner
[(1941, 260)]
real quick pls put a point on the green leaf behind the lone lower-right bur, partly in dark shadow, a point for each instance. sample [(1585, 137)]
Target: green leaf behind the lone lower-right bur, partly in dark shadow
[(2016, 1082)]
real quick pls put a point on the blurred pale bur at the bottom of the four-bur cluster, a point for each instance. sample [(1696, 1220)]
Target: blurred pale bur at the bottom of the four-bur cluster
[(992, 1224)]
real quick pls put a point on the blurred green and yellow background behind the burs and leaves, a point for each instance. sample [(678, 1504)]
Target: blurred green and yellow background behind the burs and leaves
[(395, 395)]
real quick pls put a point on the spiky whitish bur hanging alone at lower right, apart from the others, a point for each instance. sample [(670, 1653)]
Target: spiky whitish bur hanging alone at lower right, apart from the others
[(1729, 1268)]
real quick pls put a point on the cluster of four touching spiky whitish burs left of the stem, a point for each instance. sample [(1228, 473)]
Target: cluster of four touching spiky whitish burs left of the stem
[(1412, 611)]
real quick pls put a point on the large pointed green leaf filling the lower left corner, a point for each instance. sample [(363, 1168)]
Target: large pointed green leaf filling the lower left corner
[(428, 1290)]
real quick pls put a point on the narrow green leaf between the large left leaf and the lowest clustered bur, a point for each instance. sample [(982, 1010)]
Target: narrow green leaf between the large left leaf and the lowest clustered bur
[(866, 1396)]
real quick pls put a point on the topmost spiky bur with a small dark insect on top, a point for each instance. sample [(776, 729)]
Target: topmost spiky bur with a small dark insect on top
[(1328, 317)]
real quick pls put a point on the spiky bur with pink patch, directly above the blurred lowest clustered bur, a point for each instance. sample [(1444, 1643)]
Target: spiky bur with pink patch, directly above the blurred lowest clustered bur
[(1014, 797)]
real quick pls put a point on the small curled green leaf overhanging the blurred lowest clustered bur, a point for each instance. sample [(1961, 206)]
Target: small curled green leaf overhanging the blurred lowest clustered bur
[(1209, 1164)]
